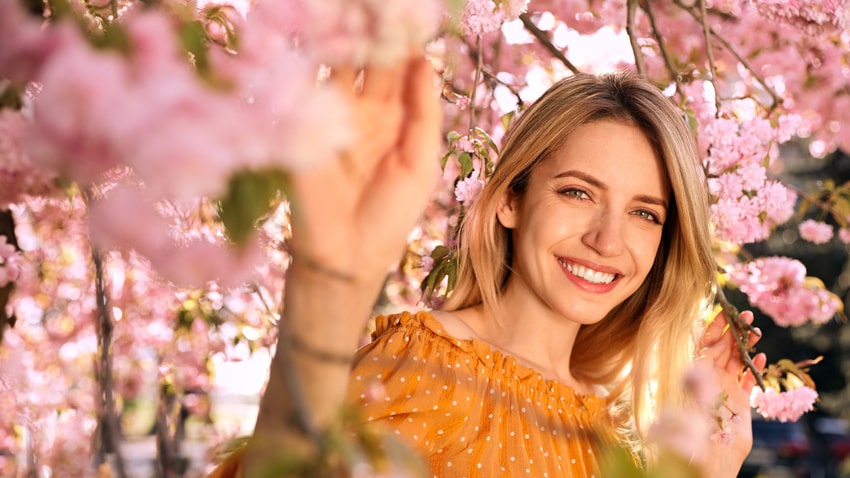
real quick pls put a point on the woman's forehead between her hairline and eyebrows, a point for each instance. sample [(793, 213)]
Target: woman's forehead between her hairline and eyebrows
[(616, 152)]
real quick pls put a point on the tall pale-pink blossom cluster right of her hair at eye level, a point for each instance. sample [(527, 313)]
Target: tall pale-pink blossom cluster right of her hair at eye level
[(747, 203)]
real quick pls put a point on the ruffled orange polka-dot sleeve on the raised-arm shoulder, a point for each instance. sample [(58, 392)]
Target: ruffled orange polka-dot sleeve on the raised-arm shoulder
[(409, 378)]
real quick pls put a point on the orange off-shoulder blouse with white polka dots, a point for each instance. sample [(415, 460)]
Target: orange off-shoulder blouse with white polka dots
[(470, 411)]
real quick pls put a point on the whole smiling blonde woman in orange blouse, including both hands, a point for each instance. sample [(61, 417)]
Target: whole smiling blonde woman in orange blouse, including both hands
[(585, 266)]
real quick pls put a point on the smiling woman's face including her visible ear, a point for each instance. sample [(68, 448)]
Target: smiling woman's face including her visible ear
[(587, 229)]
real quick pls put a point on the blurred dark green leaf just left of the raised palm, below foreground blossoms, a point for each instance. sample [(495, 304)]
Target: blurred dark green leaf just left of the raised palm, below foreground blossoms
[(249, 197)]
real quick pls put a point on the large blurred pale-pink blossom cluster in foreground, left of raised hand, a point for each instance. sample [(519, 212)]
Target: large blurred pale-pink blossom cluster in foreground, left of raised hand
[(171, 118)]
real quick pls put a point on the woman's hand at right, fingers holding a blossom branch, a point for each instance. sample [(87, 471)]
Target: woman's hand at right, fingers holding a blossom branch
[(718, 346)]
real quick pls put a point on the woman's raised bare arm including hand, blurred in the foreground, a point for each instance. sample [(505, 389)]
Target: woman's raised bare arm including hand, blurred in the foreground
[(350, 220)]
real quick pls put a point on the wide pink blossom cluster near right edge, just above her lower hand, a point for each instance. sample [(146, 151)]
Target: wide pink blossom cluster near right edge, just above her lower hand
[(779, 287)]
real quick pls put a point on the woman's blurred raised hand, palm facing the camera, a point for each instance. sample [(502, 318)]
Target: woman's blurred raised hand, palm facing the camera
[(352, 215)]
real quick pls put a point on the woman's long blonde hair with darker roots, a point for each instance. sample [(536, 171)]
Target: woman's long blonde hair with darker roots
[(647, 340)]
